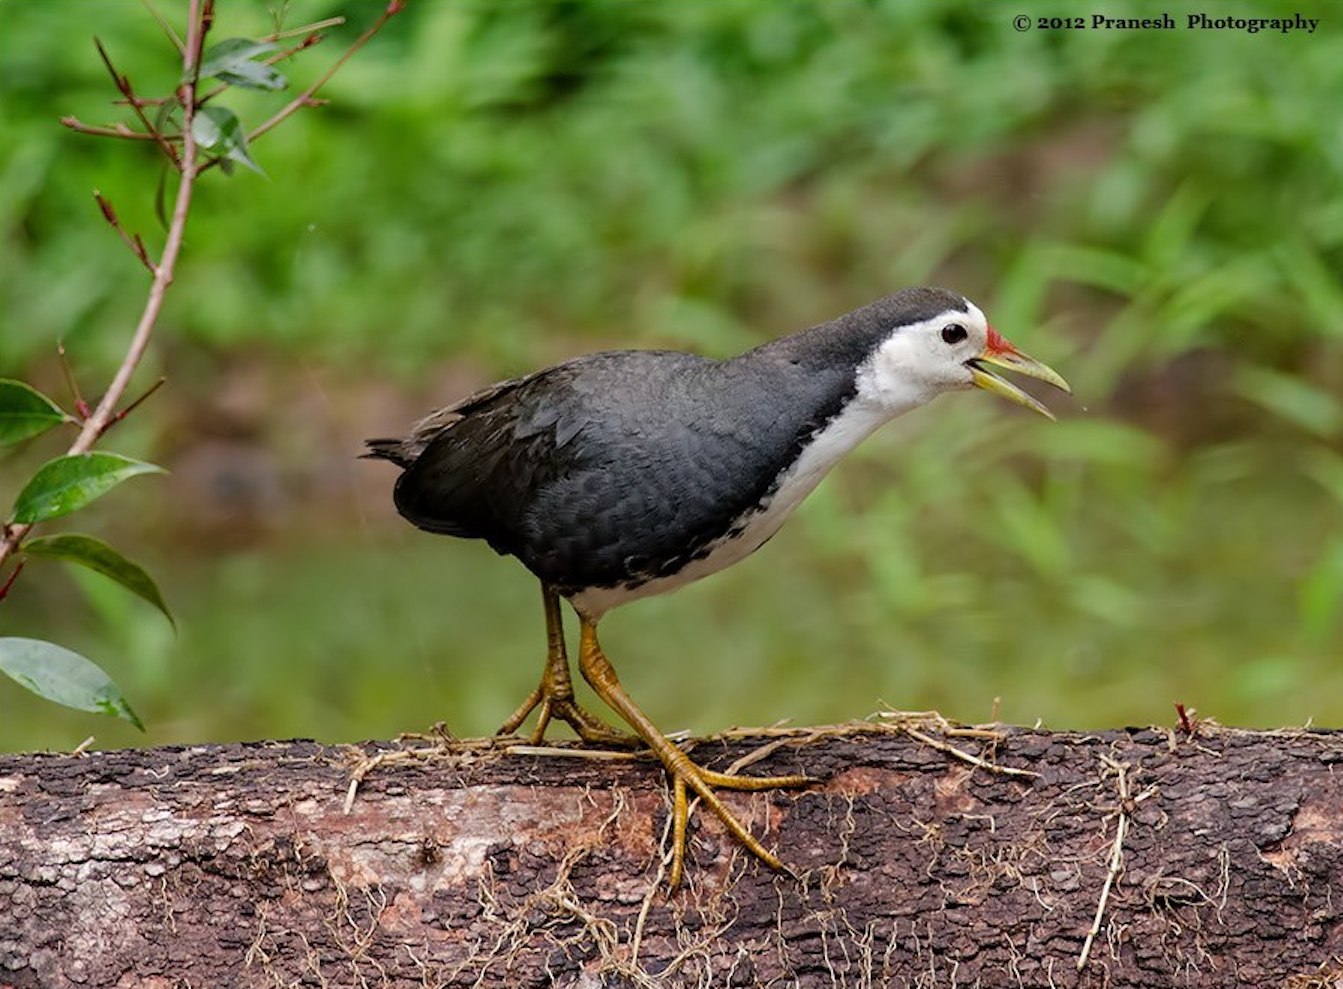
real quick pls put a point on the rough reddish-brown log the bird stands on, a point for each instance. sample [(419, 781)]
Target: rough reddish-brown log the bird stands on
[(465, 866)]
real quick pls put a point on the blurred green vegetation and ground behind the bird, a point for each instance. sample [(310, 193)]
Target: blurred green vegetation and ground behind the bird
[(496, 186)]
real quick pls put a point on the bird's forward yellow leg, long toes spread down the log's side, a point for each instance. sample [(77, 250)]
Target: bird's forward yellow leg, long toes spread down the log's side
[(684, 773)]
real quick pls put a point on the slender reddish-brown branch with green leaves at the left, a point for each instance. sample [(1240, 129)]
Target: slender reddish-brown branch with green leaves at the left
[(194, 131)]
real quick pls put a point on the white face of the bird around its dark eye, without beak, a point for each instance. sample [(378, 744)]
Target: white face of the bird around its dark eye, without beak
[(922, 361)]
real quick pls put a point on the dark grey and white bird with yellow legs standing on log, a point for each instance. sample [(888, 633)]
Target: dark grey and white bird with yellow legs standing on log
[(622, 475)]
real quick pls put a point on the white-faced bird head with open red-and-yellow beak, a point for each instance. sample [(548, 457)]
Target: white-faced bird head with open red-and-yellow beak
[(956, 349)]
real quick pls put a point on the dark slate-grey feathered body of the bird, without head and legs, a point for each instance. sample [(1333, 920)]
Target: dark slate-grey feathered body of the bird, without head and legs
[(613, 468)]
